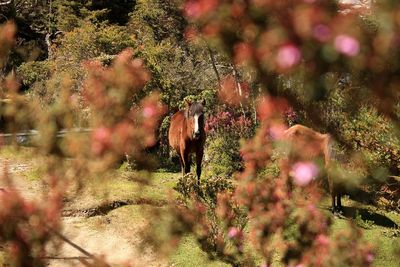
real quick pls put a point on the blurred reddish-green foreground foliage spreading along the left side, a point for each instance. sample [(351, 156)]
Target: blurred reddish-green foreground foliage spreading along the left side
[(27, 226)]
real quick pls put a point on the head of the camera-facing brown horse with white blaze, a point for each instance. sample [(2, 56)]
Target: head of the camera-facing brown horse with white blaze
[(195, 117)]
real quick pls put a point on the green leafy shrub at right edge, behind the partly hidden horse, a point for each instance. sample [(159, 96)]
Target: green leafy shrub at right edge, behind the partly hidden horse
[(364, 130)]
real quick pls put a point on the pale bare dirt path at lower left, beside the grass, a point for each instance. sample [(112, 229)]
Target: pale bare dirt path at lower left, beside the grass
[(110, 236)]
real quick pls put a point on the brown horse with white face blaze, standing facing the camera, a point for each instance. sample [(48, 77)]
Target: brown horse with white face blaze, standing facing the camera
[(186, 135)]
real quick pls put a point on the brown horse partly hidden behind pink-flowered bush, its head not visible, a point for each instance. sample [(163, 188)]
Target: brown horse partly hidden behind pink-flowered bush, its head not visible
[(307, 144)]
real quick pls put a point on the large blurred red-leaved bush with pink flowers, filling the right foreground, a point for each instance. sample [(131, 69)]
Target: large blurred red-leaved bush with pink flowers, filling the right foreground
[(275, 38)]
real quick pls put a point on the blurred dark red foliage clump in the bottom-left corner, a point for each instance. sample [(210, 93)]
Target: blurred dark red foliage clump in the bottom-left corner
[(26, 226)]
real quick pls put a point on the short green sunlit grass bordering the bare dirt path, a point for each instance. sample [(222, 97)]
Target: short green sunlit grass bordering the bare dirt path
[(378, 226)]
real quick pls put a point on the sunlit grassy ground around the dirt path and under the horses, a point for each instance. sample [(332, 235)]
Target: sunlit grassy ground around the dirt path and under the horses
[(380, 228)]
